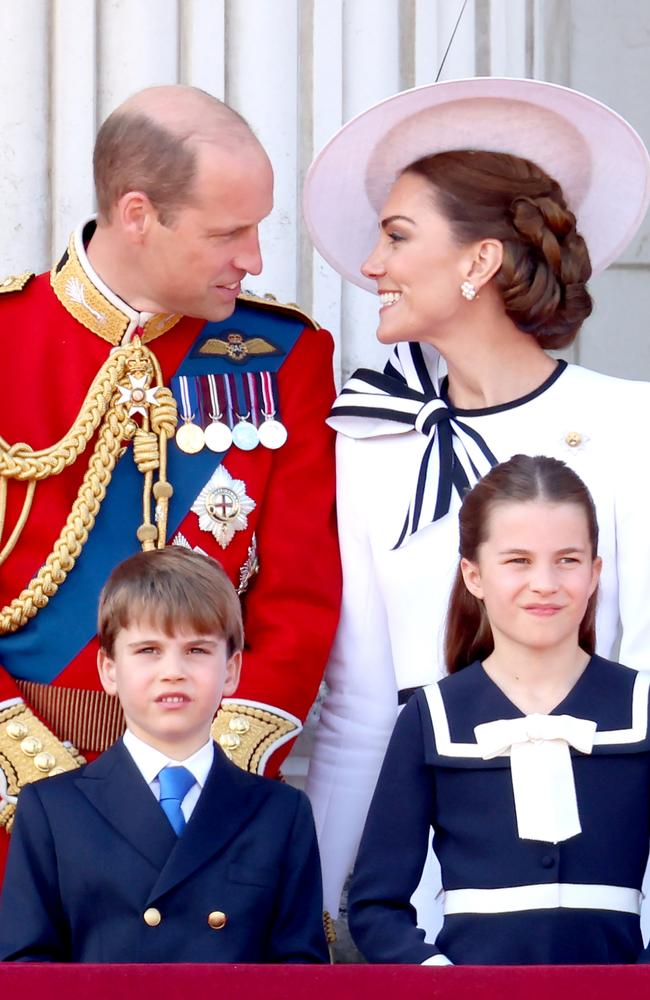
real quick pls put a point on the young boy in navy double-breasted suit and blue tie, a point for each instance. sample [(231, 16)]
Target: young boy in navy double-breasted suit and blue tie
[(162, 850)]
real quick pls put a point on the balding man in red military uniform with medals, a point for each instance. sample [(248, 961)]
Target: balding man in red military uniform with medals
[(141, 325)]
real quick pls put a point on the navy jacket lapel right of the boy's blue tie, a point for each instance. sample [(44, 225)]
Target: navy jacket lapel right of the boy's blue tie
[(228, 801)]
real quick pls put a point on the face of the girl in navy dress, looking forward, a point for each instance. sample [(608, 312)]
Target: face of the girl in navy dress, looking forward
[(534, 573)]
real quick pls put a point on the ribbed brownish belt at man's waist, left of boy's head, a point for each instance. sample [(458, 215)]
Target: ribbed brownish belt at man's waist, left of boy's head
[(90, 720)]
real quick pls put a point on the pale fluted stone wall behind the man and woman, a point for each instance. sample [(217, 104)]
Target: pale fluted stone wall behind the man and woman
[(297, 69)]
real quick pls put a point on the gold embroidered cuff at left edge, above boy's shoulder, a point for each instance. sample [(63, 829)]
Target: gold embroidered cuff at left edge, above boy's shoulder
[(28, 752)]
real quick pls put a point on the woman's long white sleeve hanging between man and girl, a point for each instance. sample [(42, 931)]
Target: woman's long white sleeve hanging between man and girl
[(361, 704)]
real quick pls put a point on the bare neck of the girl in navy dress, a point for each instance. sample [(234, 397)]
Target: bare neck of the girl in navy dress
[(536, 680)]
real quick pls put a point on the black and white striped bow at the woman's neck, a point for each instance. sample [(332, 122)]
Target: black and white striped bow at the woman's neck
[(405, 397)]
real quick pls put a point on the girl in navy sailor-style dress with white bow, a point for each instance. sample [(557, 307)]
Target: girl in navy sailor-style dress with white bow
[(530, 762)]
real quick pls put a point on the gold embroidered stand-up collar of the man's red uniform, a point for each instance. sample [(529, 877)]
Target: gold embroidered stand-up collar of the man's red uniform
[(85, 296)]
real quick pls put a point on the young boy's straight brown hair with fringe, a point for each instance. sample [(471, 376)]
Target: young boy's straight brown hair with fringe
[(174, 589)]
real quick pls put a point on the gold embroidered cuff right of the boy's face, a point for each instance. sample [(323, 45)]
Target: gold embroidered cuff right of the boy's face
[(246, 733)]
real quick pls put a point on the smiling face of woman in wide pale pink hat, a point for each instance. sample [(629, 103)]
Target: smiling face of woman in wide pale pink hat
[(417, 264)]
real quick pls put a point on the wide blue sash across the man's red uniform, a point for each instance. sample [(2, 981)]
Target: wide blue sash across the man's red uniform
[(44, 647)]
